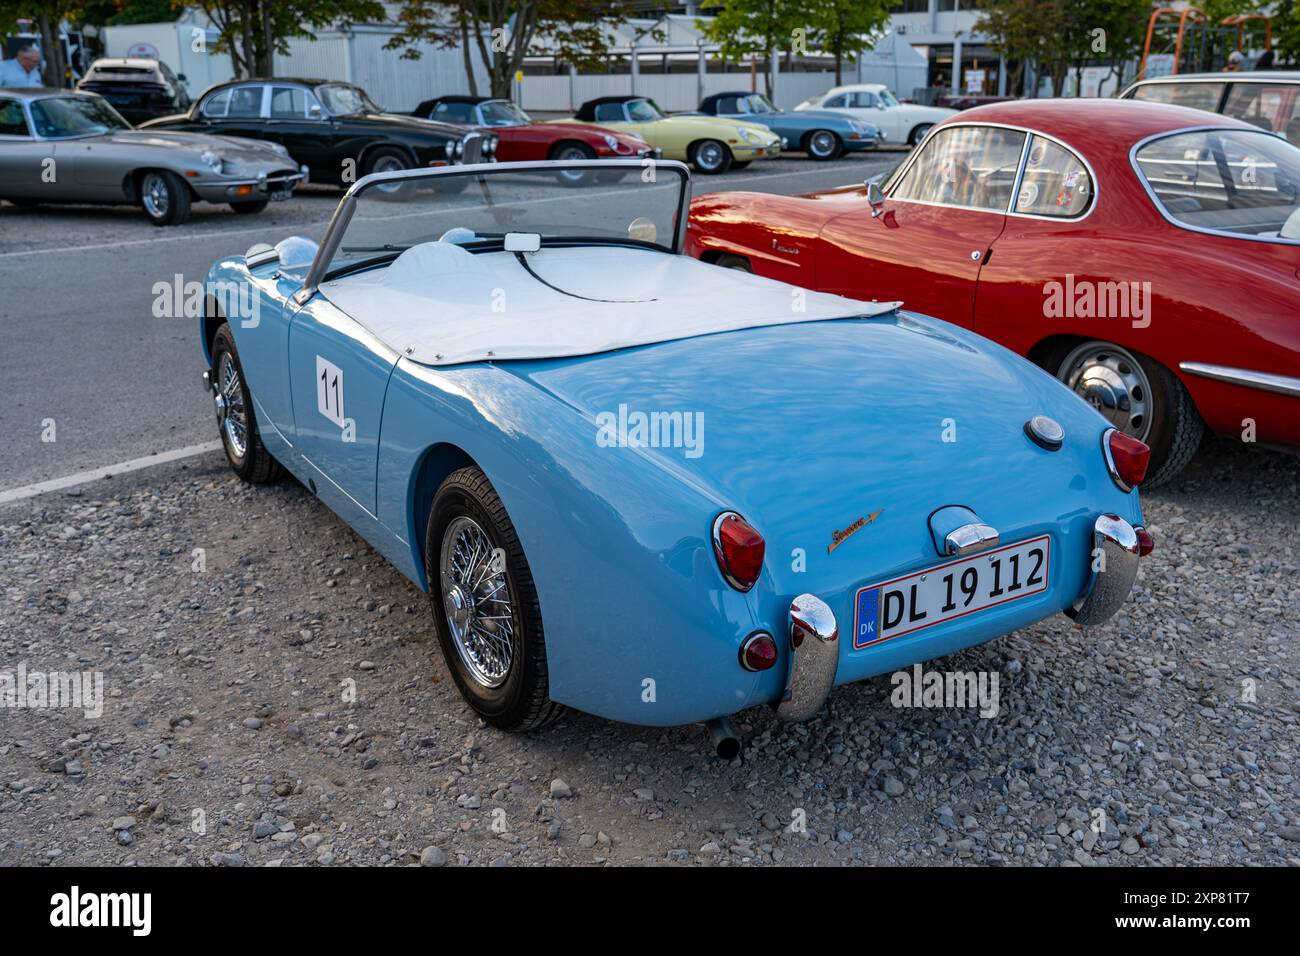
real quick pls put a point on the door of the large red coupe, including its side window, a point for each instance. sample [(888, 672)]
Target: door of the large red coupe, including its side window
[(943, 213)]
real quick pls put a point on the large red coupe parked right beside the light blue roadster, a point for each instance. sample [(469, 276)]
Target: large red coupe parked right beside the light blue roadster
[(1145, 254)]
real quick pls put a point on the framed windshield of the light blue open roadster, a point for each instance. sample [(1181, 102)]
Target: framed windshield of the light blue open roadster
[(595, 204)]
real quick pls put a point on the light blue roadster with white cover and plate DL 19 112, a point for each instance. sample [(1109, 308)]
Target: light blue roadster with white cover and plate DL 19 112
[(647, 487)]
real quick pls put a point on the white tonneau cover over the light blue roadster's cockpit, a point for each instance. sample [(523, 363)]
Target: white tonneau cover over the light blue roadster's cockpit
[(441, 305)]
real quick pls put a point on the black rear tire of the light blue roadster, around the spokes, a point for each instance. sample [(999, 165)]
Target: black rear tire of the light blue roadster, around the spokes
[(521, 703)]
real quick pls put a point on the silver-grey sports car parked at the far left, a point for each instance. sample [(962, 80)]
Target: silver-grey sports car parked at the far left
[(58, 146)]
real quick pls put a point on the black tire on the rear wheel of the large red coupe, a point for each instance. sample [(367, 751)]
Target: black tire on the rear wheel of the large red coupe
[(1176, 429)]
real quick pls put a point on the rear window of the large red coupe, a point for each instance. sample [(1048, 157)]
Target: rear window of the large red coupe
[(1241, 183)]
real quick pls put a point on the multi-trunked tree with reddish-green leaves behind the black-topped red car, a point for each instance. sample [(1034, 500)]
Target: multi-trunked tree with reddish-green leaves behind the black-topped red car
[(501, 33)]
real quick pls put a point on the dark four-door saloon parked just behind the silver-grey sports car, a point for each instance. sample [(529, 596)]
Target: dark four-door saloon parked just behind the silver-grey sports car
[(332, 128)]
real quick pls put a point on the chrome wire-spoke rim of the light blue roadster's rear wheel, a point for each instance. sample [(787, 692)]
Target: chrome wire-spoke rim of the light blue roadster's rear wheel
[(478, 602)]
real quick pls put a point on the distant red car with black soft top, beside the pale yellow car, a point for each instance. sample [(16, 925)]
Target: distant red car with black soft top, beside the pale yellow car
[(523, 140)]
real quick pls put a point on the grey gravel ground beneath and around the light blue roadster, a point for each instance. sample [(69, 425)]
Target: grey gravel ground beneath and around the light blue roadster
[(226, 695)]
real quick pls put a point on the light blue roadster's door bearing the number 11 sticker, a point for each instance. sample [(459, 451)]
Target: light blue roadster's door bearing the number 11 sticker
[(339, 374)]
